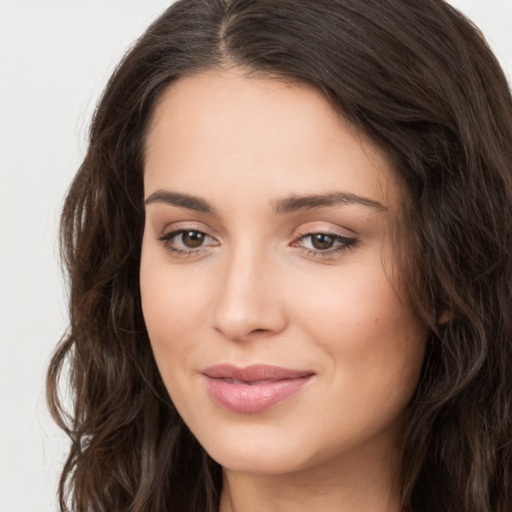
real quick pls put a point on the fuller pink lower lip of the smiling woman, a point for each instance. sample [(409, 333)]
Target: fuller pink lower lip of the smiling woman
[(250, 398)]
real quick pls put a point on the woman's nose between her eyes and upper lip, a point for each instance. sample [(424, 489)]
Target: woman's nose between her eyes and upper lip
[(248, 298)]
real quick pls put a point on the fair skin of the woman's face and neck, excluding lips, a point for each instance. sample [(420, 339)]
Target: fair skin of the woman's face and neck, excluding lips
[(258, 290)]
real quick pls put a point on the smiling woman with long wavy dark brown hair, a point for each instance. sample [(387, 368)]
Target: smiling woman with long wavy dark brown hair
[(289, 250)]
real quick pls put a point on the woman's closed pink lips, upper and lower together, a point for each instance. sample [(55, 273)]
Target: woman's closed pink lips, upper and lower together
[(253, 388)]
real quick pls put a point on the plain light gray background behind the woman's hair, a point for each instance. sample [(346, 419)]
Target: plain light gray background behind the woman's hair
[(55, 57)]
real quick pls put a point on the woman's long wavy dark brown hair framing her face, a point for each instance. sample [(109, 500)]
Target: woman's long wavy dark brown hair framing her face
[(419, 80)]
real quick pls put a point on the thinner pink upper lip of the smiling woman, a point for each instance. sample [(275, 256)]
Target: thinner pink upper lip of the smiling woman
[(255, 372)]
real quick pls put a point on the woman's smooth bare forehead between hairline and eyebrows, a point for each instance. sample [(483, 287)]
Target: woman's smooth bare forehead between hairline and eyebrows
[(226, 126)]
